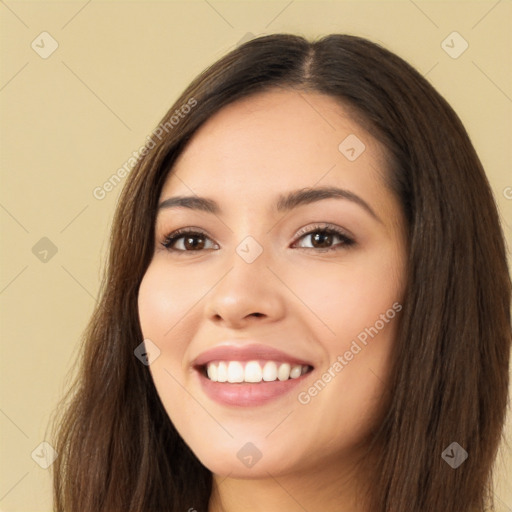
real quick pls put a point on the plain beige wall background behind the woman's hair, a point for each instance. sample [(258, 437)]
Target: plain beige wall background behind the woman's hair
[(69, 121)]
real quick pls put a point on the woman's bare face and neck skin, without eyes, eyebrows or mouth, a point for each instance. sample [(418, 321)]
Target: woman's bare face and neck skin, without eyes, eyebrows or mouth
[(311, 303)]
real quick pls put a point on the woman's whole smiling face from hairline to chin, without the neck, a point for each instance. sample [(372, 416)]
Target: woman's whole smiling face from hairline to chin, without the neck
[(275, 311)]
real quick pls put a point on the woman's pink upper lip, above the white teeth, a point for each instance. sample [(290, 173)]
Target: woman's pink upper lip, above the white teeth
[(228, 351)]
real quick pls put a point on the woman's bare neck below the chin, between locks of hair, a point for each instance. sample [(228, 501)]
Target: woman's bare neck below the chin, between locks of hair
[(326, 489)]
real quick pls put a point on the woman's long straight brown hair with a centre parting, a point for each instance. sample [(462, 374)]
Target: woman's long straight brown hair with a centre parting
[(118, 449)]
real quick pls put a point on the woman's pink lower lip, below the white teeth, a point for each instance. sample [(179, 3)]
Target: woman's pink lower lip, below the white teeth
[(246, 394)]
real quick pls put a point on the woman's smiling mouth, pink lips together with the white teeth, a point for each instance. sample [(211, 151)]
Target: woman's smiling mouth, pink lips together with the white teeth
[(249, 376)]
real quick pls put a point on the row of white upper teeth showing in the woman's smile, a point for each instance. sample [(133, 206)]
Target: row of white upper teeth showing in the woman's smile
[(234, 371)]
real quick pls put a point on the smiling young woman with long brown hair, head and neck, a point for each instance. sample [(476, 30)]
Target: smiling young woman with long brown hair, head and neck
[(307, 300)]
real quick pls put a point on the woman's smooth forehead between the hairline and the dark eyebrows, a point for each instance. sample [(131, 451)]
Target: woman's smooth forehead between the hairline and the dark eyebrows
[(274, 141)]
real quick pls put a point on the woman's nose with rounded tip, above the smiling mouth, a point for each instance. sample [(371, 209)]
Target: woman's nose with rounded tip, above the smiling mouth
[(246, 293)]
